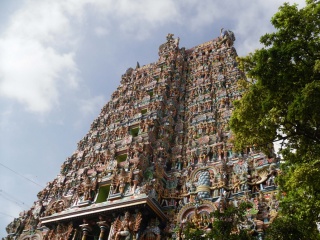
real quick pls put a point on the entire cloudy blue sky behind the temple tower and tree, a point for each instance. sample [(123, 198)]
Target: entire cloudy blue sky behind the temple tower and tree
[(61, 60)]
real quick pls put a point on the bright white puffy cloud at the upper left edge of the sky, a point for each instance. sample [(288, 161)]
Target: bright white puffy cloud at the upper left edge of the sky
[(32, 66)]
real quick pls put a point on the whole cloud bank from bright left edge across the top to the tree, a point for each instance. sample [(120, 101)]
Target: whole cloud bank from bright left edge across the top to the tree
[(39, 45)]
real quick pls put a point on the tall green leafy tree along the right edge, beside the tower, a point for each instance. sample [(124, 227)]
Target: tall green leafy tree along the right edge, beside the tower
[(281, 101)]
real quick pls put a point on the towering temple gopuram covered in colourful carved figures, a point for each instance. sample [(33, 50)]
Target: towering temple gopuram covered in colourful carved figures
[(158, 156)]
